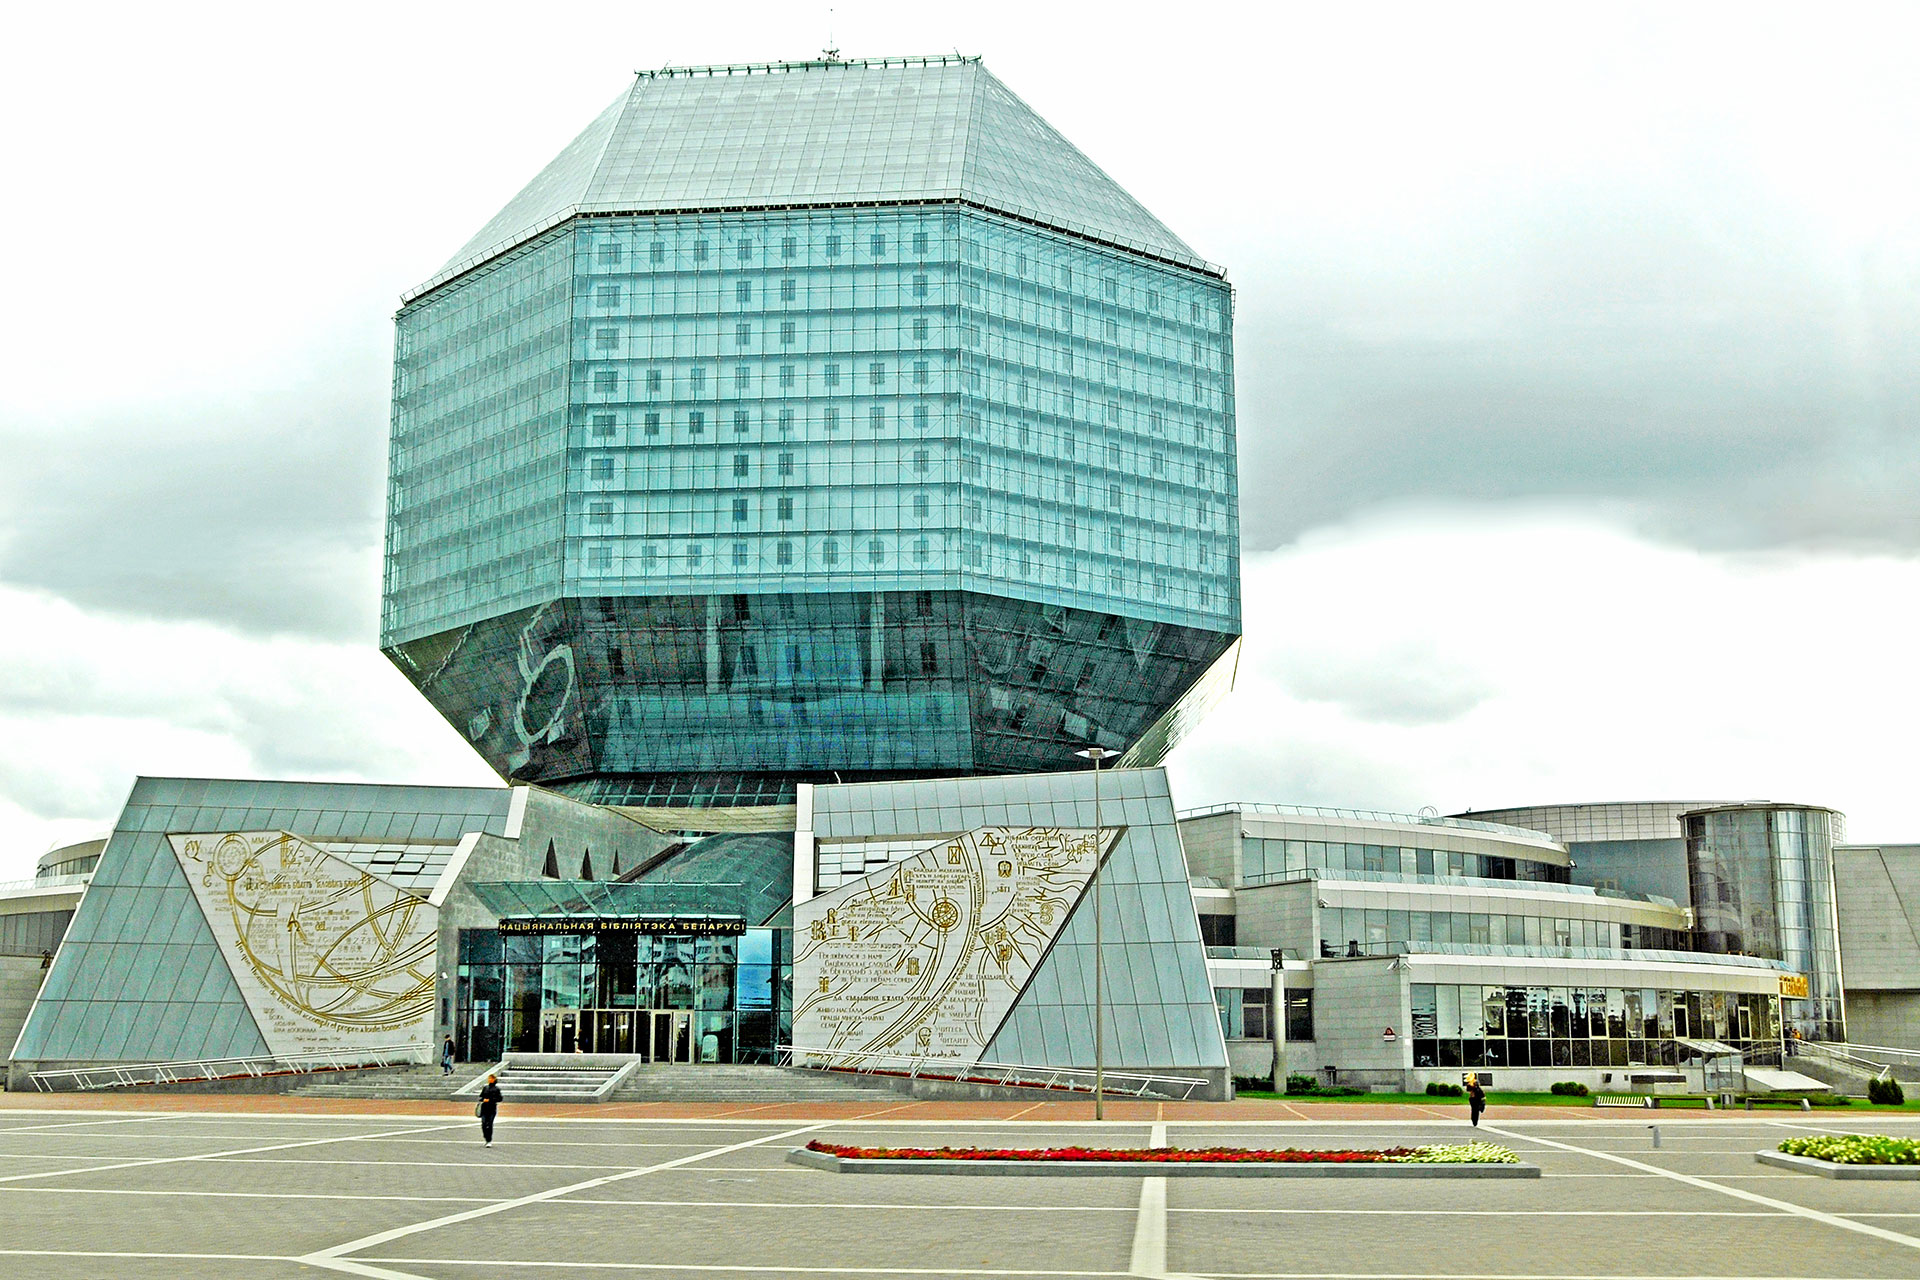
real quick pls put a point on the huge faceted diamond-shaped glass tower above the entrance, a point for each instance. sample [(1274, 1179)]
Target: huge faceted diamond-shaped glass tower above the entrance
[(813, 421)]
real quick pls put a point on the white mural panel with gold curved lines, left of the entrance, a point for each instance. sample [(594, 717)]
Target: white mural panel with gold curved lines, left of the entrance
[(325, 955)]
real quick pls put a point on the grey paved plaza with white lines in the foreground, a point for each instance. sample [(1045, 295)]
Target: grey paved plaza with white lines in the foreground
[(266, 1187)]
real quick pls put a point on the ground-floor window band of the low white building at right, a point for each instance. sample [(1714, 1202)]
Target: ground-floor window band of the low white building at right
[(1460, 1026)]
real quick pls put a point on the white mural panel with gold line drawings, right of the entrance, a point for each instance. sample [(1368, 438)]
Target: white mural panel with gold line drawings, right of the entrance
[(926, 957)]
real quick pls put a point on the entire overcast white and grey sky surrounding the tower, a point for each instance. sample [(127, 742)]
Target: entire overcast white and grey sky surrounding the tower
[(1579, 362)]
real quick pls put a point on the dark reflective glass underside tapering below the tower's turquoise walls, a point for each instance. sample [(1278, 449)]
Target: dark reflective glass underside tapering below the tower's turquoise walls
[(880, 682)]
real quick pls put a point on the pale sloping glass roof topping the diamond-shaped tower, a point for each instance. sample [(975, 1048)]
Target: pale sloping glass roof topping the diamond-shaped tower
[(825, 133)]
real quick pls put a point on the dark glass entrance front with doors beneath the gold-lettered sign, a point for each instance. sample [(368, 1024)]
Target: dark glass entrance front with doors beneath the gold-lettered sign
[(658, 997)]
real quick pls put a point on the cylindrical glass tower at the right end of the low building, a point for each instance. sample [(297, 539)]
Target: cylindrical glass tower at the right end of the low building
[(1764, 886)]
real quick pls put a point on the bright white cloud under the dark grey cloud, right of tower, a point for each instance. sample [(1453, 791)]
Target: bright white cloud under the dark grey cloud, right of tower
[(1481, 661)]
